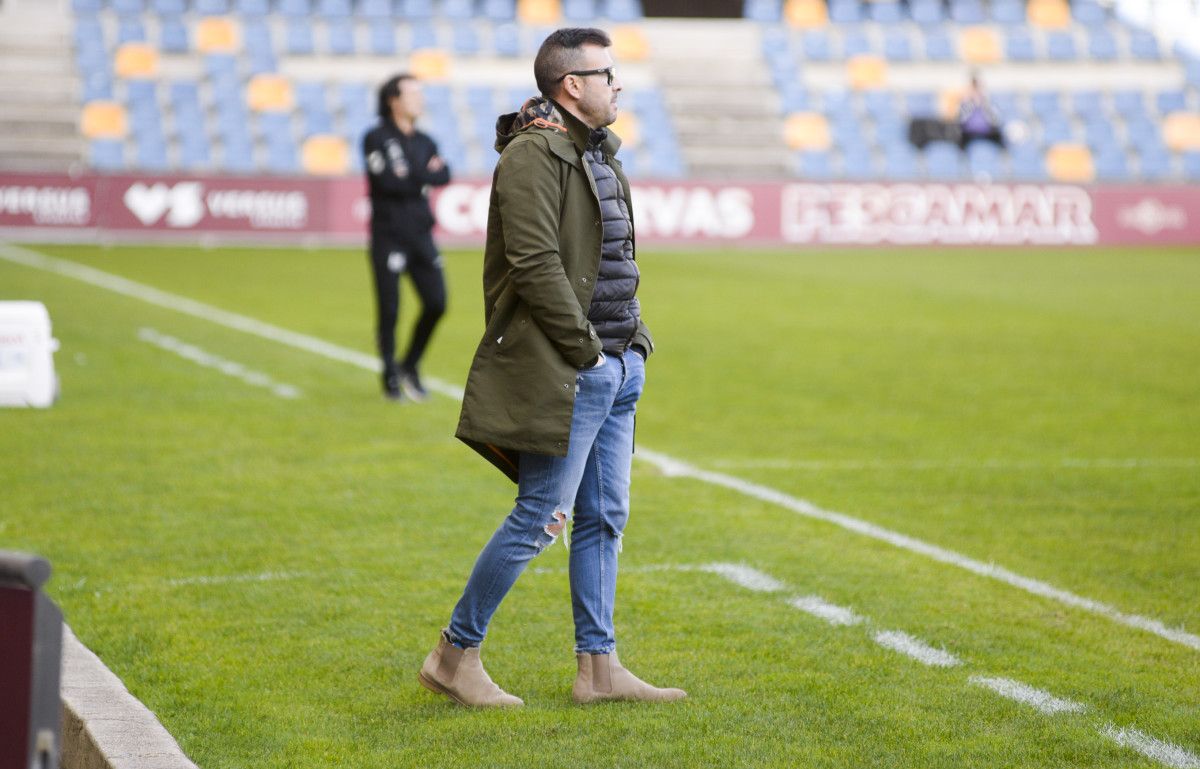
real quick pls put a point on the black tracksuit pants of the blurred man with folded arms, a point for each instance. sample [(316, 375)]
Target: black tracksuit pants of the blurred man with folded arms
[(417, 256)]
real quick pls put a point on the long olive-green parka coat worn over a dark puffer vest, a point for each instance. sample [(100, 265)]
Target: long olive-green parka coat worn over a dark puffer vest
[(541, 265)]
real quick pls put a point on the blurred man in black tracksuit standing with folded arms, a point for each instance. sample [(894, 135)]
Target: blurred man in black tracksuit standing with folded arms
[(401, 165)]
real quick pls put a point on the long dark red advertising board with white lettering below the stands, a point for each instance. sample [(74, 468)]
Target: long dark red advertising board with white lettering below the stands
[(677, 213)]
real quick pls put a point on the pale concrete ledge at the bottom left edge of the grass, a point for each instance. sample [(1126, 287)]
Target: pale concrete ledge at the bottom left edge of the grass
[(104, 725)]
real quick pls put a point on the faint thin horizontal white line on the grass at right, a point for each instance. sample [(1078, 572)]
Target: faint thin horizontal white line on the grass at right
[(933, 465)]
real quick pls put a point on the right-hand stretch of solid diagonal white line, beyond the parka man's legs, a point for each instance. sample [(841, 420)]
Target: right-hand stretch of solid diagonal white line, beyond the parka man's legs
[(675, 468)]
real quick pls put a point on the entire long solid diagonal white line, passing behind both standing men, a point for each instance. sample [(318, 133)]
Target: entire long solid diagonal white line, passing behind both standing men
[(667, 465)]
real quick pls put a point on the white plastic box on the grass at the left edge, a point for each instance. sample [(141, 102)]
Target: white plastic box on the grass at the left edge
[(27, 356)]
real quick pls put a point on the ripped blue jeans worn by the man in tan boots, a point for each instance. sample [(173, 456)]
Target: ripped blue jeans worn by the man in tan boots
[(589, 490)]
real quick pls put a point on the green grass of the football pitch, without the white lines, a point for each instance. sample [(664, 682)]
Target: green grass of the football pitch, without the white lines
[(267, 574)]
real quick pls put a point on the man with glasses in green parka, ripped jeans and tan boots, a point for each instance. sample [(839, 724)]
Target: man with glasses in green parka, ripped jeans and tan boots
[(555, 383)]
